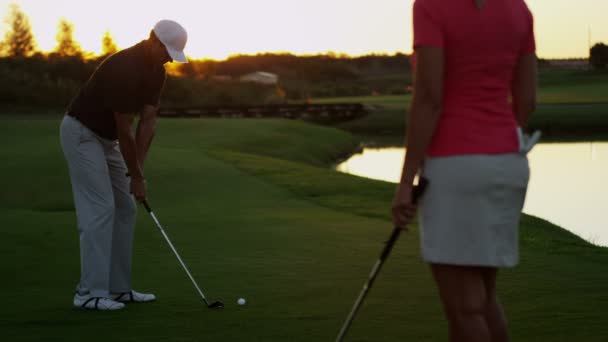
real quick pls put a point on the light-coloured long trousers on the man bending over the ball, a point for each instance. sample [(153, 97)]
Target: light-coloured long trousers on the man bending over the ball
[(104, 207)]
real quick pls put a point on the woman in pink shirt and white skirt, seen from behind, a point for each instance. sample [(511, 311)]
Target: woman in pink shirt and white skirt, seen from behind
[(471, 56)]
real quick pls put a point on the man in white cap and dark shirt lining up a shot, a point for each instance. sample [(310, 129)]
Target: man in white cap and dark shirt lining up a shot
[(101, 150)]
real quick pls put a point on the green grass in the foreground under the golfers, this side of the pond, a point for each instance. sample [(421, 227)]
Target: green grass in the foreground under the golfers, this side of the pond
[(255, 212)]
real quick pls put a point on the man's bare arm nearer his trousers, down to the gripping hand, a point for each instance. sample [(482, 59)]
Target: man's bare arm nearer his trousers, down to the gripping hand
[(129, 153)]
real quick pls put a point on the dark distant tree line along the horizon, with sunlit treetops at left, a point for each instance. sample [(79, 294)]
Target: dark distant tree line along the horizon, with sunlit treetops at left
[(32, 78)]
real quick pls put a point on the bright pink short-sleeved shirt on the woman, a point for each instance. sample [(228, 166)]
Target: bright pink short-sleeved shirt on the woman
[(481, 49)]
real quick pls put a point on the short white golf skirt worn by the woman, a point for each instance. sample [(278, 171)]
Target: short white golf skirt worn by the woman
[(470, 212)]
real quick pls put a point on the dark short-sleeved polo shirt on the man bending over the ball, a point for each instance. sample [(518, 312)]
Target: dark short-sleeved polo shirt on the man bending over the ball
[(123, 83)]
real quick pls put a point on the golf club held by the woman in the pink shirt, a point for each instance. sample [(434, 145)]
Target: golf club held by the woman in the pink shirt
[(417, 192)]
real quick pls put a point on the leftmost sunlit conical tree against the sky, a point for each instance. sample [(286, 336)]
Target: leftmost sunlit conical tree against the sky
[(18, 39)]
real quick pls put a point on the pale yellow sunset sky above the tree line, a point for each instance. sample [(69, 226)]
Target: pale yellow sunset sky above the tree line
[(219, 28)]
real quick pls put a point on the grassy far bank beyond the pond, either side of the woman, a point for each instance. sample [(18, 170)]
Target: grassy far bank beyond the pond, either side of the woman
[(573, 105)]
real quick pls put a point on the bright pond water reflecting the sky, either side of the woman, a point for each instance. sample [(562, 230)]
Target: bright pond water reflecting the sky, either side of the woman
[(568, 183)]
